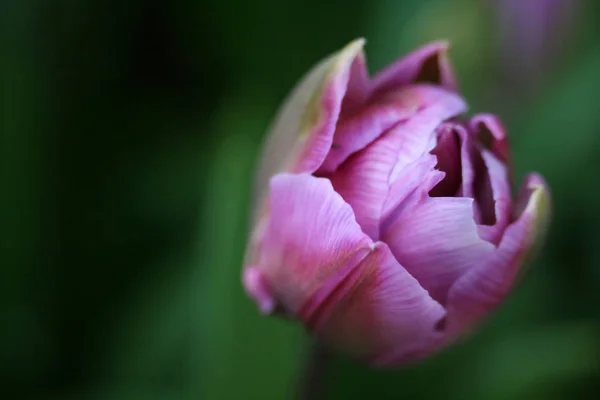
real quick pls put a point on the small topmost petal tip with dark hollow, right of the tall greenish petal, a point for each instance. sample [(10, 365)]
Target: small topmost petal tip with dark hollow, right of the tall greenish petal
[(427, 64)]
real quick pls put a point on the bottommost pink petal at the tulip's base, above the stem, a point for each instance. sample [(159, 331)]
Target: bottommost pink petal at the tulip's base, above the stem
[(383, 316)]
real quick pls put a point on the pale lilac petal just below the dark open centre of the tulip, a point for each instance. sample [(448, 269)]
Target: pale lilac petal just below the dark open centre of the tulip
[(435, 239)]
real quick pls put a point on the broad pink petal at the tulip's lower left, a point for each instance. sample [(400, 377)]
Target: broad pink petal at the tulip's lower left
[(310, 236)]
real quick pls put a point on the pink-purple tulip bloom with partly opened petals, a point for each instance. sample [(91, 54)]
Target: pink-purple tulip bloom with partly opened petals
[(387, 225)]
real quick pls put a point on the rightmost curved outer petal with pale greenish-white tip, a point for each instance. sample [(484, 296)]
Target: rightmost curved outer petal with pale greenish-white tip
[(480, 290)]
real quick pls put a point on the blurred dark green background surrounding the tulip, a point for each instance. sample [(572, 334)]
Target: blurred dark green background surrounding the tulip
[(129, 134)]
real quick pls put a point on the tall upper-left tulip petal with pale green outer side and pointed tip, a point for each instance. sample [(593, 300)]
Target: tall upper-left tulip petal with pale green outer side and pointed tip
[(302, 133)]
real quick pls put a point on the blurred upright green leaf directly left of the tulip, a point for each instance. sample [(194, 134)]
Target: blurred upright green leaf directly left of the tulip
[(243, 355)]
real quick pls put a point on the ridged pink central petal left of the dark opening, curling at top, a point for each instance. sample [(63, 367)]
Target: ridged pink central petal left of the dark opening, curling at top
[(364, 180)]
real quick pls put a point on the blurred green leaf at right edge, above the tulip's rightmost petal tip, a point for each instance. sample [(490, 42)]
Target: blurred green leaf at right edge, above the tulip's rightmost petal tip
[(562, 128)]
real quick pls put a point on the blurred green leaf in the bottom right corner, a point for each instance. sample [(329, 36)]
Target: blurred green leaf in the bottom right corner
[(514, 366)]
